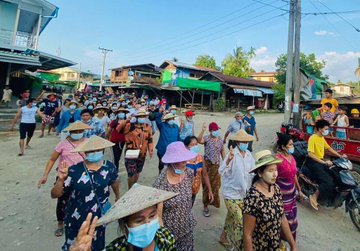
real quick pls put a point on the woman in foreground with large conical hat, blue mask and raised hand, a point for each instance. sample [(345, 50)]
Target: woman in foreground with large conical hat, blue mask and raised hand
[(138, 214)]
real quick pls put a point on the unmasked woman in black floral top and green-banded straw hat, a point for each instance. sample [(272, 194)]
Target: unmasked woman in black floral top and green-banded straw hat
[(263, 209)]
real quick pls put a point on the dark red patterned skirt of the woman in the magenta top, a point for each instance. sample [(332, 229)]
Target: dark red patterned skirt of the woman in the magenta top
[(288, 193)]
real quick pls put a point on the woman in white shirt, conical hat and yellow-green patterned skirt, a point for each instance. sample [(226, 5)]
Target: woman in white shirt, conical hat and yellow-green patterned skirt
[(236, 181)]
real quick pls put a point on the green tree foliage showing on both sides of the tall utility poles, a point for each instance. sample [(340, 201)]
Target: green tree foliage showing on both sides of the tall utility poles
[(308, 63)]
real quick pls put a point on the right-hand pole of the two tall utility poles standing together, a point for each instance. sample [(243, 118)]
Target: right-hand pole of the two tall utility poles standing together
[(297, 76)]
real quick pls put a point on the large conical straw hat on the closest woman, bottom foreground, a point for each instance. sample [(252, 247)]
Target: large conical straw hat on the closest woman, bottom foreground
[(136, 199)]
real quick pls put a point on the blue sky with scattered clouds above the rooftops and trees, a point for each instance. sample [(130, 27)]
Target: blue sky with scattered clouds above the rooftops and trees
[(152, 31)]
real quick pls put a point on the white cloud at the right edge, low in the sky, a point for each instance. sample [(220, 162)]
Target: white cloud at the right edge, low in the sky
[(340, 66)]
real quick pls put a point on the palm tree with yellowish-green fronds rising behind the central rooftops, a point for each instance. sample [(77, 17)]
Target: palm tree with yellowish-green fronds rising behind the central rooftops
[(238, 63)]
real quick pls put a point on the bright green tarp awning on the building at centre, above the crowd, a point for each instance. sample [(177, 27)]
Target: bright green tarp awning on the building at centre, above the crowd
[(193, 84)]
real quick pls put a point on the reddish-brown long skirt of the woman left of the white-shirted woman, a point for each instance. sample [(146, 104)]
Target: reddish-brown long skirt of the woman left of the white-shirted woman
[(215, 183)]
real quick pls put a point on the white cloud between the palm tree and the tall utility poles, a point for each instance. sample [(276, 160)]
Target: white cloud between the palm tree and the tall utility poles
[(263, 61)]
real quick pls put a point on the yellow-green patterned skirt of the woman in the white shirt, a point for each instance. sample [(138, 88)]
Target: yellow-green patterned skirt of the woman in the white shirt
[(234, 223)]
